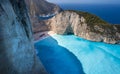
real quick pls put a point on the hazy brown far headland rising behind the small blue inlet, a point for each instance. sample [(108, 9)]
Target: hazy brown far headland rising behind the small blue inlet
[(41, 7)]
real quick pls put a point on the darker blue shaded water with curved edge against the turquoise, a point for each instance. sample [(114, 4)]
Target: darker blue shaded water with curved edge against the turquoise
[(57, 59)]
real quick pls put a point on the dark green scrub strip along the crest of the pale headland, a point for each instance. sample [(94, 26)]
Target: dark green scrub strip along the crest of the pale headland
[(92, 19)]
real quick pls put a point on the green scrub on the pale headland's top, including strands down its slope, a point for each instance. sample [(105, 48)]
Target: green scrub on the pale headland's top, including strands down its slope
[(93, 20)]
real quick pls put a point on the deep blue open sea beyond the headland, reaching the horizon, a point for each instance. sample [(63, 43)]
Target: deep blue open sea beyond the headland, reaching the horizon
[(108, 12)]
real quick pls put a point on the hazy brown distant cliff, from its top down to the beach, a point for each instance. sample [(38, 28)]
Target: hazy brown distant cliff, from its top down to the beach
[(41, 8)]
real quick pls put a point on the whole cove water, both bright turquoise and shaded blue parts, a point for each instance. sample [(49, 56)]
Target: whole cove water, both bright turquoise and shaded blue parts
[(69, 54)]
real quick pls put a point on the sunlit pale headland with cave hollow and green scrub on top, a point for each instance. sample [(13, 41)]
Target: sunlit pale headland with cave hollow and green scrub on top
[(85, 25)]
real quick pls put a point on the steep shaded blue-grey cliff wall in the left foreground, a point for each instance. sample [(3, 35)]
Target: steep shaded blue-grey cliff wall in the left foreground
[(17, 54)]
